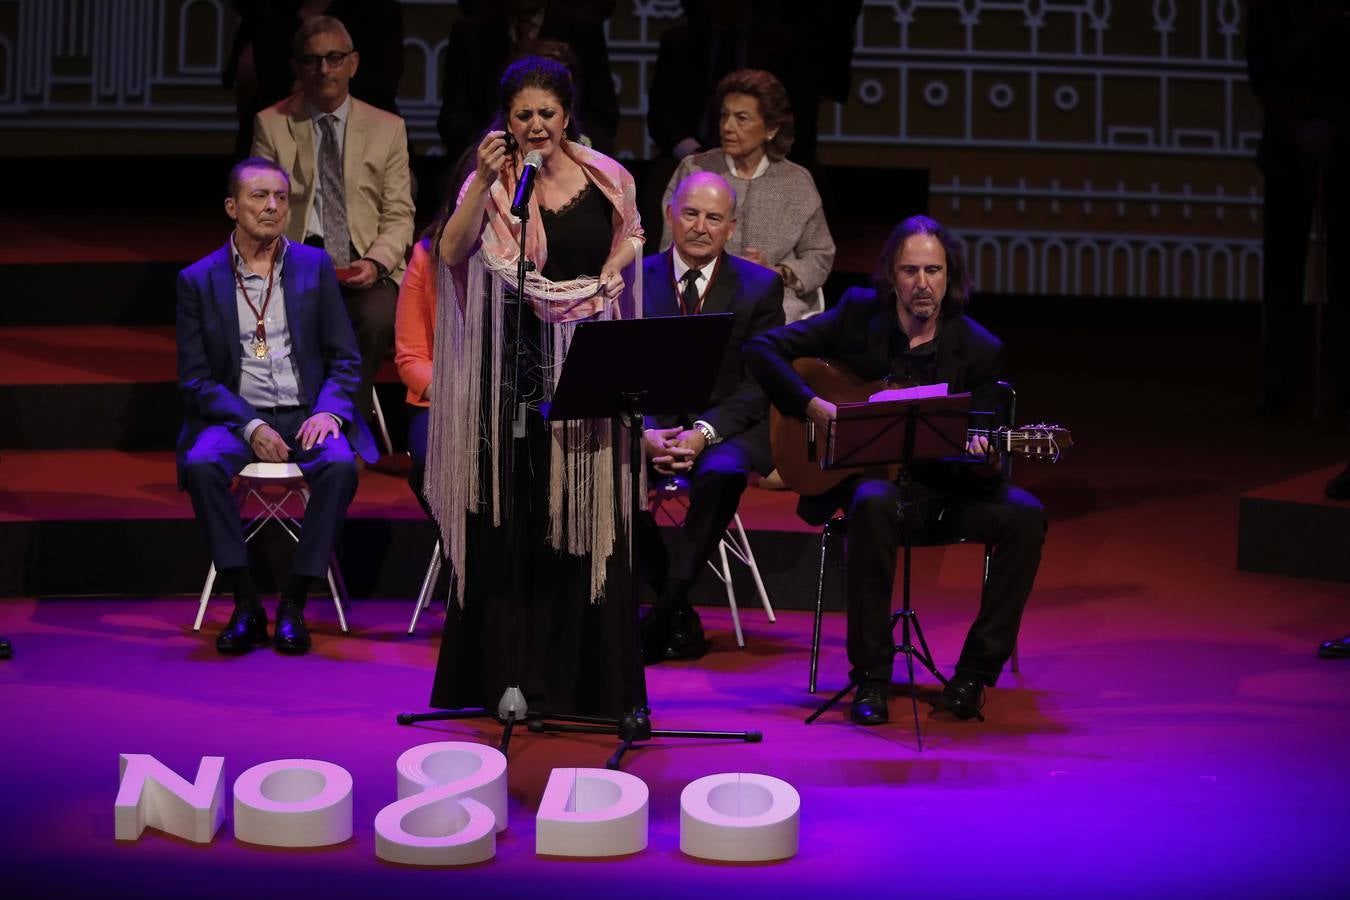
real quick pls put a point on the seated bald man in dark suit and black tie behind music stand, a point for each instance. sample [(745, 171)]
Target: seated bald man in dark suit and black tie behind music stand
[(715, 449)]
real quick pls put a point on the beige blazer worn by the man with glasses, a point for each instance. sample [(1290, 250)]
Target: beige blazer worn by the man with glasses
[(379, 183)]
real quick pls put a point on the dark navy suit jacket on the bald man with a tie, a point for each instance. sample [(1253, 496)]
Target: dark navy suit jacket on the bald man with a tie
[(754, 295)]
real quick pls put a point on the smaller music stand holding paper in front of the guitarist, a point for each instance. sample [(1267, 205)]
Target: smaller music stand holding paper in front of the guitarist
[(900, 432)]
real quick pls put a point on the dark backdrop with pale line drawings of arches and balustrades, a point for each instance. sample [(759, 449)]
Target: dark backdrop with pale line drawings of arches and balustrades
[(1079, 146)]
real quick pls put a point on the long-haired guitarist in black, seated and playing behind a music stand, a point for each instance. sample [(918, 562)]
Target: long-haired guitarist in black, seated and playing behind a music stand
[(911, 329)]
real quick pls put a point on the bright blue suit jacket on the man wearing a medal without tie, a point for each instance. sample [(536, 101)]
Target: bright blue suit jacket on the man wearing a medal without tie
[(323, 346)]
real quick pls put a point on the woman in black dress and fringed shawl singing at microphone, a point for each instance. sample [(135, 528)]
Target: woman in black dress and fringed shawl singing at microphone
[(537, 528)]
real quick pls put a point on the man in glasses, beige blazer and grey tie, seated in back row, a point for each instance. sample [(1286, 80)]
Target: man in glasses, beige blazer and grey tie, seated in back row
[(350, 184)]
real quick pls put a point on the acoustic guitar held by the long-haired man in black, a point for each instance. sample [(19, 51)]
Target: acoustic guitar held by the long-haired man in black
[(831, 380)]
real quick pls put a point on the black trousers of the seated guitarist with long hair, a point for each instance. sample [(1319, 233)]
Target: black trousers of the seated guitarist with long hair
[(994, 513)]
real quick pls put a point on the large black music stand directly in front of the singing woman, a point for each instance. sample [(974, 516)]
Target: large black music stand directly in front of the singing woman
[(610, 373)]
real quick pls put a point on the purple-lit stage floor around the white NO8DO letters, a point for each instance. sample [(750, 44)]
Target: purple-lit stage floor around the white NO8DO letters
[(1171, 736)]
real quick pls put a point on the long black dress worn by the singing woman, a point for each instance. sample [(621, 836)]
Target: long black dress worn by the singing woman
[(527, 617)]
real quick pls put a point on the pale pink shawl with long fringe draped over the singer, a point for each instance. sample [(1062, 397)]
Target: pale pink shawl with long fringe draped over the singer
[(472, 337)]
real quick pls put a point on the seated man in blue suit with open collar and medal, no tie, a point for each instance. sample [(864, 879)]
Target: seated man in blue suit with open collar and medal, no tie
[(268, 366)]
